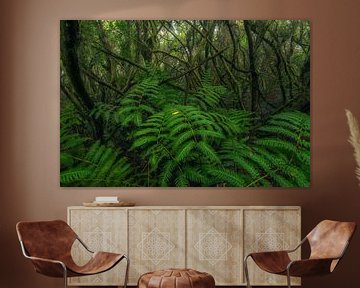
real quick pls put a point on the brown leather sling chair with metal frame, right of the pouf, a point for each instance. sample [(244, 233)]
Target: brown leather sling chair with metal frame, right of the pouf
[(328, 242)]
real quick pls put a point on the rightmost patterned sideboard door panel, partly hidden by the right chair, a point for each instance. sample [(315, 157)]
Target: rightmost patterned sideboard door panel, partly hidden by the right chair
[(271, 229)]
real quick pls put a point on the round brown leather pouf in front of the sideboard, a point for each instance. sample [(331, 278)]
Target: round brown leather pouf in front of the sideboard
[(176, 278)]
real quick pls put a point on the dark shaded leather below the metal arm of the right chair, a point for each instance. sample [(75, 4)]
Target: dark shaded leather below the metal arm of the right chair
[(309, 267)]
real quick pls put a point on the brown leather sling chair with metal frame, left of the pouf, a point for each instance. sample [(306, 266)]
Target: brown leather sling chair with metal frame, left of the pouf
[(48, 245)]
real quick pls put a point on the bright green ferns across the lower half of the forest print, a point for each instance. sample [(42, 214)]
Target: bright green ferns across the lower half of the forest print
[(184, 145)]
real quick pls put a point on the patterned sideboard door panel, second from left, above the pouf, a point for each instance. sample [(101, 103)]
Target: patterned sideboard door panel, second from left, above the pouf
[(156, 240)]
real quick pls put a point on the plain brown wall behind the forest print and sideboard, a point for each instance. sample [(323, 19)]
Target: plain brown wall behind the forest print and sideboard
[(29, 119)]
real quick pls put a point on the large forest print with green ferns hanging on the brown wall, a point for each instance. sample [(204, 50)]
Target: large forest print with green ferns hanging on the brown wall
[(185, 103)]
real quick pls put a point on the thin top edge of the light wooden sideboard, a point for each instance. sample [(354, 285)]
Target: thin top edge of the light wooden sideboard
[(192, 207)]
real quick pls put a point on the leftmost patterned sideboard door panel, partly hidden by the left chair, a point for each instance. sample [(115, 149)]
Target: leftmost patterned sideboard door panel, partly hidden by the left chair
[(101, 230)]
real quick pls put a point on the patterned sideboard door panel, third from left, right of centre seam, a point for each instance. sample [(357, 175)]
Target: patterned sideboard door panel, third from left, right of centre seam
[(214, 241)]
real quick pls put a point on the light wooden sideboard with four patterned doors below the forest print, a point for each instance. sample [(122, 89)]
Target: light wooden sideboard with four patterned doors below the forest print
[(212, 239)]
